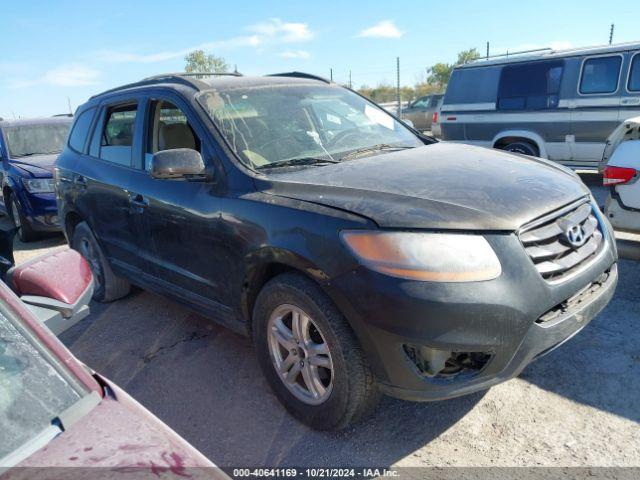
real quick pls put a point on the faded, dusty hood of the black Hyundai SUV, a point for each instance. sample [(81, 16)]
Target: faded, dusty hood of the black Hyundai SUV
[(439, 186)]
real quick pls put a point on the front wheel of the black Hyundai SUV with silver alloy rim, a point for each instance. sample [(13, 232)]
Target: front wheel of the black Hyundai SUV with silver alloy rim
[(350, 391)]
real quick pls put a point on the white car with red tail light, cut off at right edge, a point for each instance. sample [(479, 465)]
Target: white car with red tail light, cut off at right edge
[(621, 172)]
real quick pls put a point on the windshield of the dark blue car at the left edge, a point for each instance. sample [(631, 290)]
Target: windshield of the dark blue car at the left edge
[(41, 139)]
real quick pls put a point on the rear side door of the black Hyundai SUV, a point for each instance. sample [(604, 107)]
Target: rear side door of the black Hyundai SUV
[(102, 182)]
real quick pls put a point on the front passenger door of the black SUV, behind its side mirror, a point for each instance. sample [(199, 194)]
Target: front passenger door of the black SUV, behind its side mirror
[(182, 218)]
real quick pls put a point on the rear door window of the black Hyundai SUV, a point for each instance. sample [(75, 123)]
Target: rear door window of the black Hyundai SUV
[(117, 136)]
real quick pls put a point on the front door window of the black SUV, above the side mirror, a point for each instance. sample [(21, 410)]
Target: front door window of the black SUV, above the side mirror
[(168, 129)]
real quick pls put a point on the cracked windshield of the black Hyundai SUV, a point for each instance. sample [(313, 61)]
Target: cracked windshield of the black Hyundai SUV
[(271, 124)]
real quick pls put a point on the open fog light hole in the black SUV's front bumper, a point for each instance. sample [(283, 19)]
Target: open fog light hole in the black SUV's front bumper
[(434, 363)]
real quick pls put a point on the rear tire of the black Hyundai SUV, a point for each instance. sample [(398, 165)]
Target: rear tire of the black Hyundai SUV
[(107, 285)]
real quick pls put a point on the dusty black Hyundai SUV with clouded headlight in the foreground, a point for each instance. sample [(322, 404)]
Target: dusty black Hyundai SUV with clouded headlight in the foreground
[(359, 256)]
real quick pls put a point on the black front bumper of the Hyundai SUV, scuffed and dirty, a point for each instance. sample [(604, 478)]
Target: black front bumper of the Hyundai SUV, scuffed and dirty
[(497, 318)]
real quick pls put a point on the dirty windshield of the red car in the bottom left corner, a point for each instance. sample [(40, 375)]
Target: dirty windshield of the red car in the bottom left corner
[(32, 392)]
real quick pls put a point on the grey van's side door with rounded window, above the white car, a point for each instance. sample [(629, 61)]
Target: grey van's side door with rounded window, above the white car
[(595, 111)]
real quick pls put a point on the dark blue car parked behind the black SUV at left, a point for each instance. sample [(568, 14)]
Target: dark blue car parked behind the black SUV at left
[(28, 149)]
